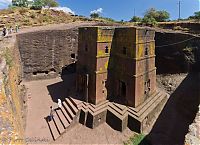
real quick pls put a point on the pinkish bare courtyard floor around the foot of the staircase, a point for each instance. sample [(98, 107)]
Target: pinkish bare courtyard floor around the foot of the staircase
[(37, 130)]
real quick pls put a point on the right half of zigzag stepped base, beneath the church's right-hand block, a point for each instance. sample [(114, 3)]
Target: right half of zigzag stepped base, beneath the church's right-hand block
[(139, 118)]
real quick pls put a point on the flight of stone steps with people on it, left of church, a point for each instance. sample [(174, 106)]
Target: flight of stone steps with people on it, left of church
[(64, 118)]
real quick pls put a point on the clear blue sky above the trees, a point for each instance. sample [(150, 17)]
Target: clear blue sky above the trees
[(124, 9)]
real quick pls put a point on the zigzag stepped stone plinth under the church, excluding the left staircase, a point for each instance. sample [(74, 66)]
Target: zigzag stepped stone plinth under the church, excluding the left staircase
[(119, 117)]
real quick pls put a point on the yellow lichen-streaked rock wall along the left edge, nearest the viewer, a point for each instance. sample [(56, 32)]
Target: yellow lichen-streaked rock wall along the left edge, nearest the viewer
[(12, 95)]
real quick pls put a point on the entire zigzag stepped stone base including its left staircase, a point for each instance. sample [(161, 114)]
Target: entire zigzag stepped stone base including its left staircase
[(118, 116)]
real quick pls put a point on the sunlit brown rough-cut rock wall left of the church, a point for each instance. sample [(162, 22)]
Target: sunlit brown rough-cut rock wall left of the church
[(45, 53)]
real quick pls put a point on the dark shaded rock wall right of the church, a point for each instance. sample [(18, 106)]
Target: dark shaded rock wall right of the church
[(176, 53)]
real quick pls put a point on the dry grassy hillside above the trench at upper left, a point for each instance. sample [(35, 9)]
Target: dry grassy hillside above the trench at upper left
[(25, 17)]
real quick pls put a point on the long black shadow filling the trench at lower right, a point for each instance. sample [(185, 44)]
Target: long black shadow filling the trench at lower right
[(179, 112)]
